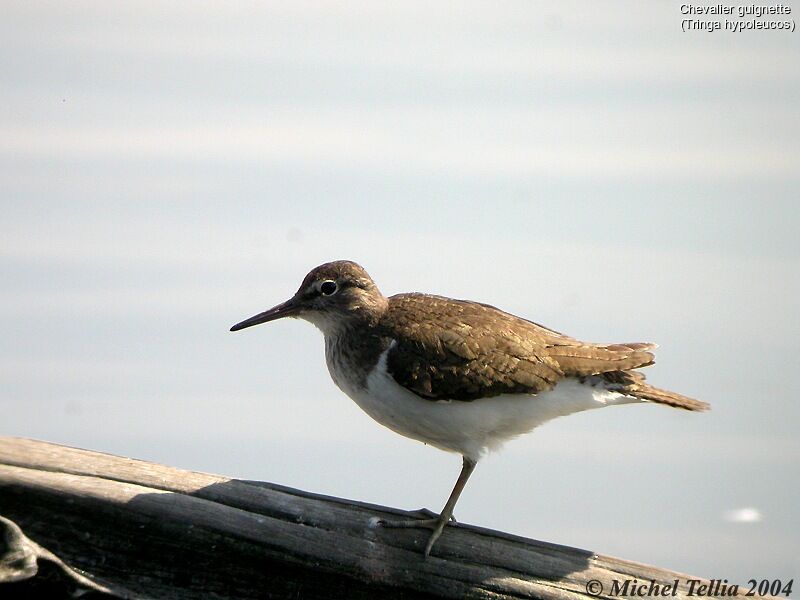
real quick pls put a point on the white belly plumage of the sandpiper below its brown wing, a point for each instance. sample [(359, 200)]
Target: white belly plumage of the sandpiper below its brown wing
[(470, 428)]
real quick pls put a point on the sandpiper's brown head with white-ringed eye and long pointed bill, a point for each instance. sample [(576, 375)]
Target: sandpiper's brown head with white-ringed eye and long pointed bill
[(331, 296)]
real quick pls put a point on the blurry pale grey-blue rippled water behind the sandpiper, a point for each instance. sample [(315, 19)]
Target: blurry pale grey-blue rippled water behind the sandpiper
[(168, 169)]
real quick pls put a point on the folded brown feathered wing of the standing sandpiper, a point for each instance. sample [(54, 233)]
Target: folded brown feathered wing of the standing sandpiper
[(449, 349)]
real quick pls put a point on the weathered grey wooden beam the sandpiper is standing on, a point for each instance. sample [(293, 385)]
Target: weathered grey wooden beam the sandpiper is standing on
[(123, 528)]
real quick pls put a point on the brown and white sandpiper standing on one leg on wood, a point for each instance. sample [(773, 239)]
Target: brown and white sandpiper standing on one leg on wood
[(462, 376)]
